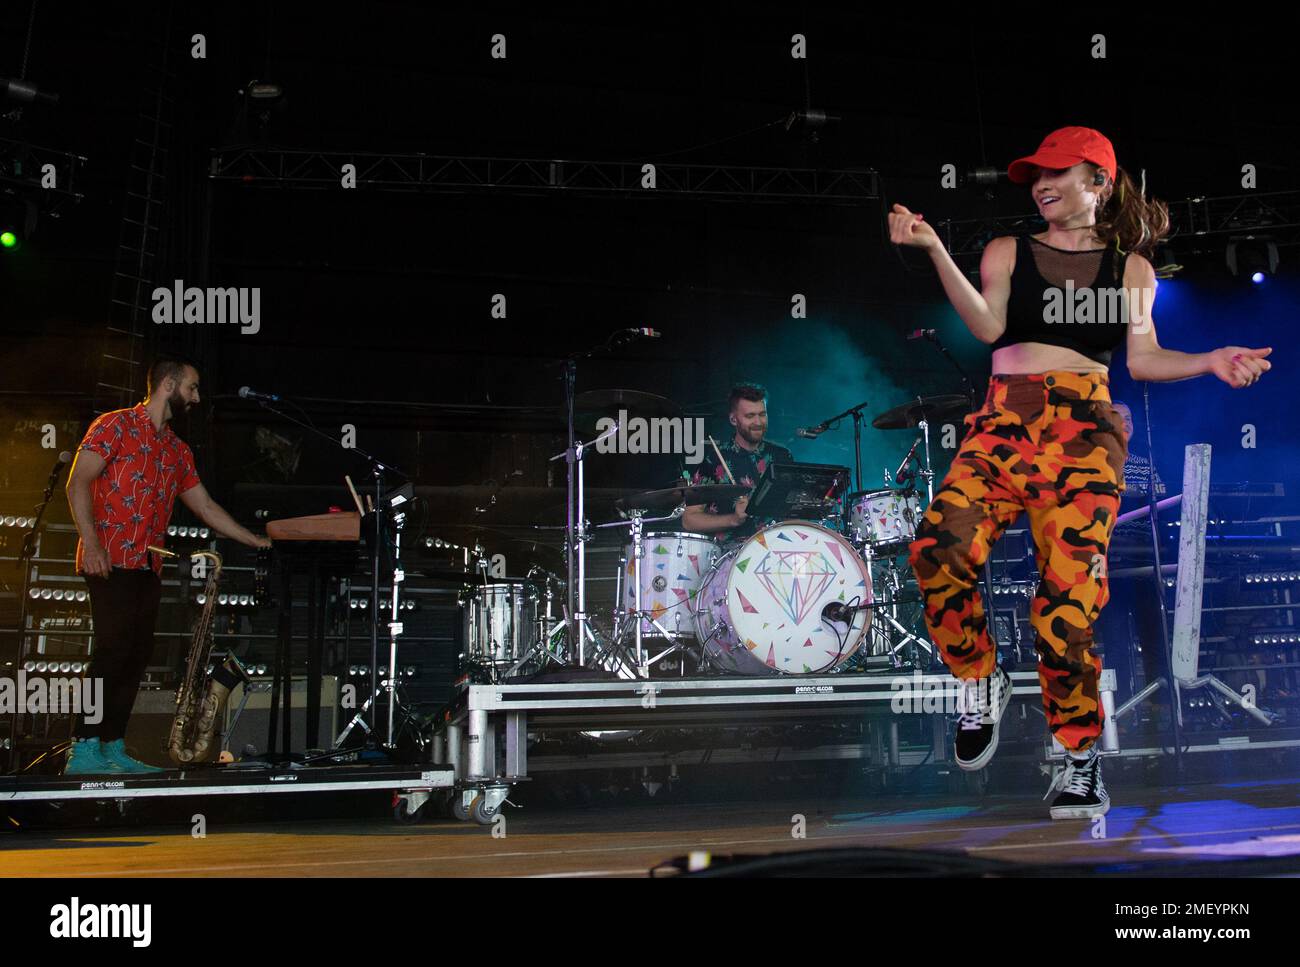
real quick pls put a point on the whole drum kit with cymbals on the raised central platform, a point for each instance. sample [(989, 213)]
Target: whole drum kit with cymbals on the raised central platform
[(799, 596)]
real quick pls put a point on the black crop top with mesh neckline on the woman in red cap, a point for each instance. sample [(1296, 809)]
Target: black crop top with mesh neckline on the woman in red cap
[(1069, 300)]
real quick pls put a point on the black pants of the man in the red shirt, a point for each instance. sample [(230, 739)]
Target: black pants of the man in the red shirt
[(125, 608)]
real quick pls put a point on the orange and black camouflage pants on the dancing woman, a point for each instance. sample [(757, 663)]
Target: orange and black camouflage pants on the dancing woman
[(1054, 446)]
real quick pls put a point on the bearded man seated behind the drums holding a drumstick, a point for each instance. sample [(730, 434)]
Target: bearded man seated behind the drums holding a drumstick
[(747, 456)]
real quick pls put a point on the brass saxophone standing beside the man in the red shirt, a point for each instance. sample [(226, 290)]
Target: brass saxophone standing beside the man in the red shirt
[(201, 696)]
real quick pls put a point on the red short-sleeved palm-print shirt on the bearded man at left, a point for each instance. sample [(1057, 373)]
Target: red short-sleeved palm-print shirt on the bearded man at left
[(133, 497)]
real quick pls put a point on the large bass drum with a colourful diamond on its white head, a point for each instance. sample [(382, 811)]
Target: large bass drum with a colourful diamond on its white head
[(760, 610)]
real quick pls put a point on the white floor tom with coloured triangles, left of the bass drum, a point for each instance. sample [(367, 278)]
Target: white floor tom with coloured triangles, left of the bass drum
[(673, 567)]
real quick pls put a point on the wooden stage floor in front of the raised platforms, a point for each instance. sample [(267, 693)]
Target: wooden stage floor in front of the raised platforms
[(1204, 821)]
